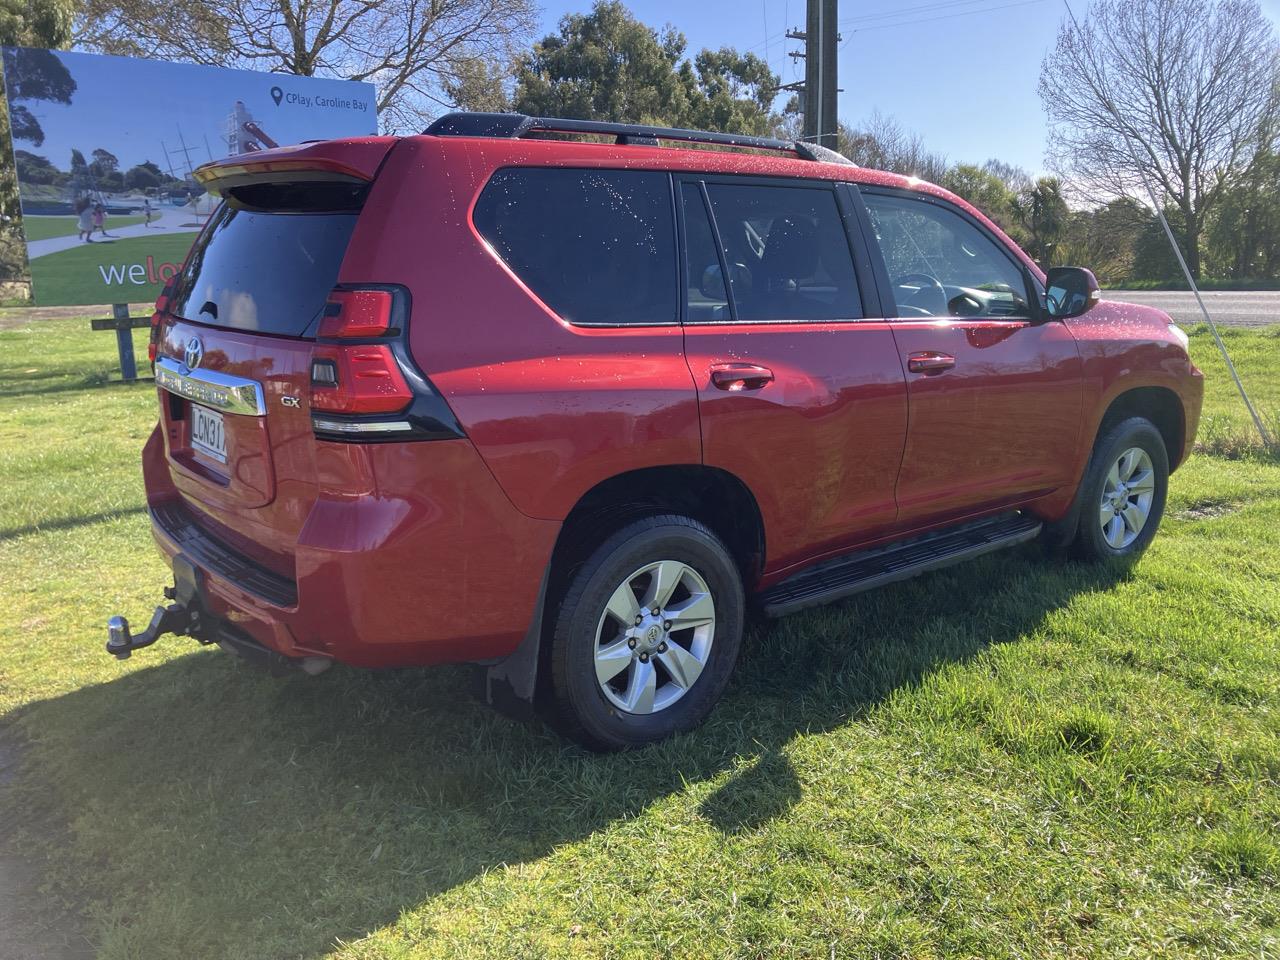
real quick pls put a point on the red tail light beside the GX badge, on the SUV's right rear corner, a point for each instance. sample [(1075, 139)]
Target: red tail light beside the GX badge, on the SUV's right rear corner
[(355, 372)]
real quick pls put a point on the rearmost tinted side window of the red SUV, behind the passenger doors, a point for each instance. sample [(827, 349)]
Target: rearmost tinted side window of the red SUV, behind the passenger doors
[(596, 246)]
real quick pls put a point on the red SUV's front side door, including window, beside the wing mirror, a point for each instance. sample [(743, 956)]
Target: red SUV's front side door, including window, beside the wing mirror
[(995, 390)]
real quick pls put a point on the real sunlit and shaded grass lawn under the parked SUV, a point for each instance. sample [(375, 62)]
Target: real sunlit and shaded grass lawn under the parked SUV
[(1017, 758)]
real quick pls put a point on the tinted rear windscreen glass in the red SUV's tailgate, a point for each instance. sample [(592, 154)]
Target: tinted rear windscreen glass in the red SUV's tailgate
[(263, 271)]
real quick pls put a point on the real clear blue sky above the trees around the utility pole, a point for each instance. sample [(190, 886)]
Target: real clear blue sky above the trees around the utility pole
[(961, 74)]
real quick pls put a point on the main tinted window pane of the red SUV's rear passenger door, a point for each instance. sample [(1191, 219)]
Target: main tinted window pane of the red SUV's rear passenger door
[(787, 250)]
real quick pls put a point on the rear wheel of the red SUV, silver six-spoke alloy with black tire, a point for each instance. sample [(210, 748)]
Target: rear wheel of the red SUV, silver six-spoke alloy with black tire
[(668, 676)]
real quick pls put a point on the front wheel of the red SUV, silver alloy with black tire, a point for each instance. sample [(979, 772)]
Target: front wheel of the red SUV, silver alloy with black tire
[(1130, 467)]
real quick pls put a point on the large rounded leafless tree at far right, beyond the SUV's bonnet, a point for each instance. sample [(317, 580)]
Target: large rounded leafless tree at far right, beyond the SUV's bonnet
[(1172, 92)]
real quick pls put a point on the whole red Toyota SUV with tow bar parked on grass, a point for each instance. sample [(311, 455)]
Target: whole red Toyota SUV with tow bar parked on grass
[(568, 408)]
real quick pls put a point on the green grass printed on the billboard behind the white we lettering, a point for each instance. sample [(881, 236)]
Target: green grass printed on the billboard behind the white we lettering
[(75, 276)]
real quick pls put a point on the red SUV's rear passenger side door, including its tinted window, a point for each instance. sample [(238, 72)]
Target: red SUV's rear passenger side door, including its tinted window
[(801, 388)]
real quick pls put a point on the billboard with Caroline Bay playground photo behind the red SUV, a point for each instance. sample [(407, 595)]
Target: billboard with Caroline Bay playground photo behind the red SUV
[(106, 147)]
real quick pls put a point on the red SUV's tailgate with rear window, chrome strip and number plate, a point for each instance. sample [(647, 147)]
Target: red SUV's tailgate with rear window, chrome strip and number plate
[(235, 359)]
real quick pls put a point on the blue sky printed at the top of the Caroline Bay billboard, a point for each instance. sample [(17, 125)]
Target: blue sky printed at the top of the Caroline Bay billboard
[(138, 108)]
